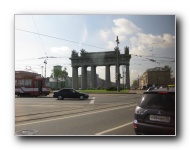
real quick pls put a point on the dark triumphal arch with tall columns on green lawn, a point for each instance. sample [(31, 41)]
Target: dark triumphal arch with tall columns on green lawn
[(94, 59)]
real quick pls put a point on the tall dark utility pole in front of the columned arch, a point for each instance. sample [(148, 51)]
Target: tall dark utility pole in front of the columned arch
[(117, 66)]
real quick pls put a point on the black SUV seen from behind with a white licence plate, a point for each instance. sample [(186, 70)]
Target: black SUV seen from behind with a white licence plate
[(155, 114)]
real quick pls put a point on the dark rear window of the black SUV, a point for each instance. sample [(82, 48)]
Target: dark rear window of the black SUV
[(158, 101)]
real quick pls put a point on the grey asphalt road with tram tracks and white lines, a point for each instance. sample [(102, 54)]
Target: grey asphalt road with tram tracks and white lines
[(101, 114)]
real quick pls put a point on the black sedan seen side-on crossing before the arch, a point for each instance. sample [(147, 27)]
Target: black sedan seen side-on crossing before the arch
[(69, 93)]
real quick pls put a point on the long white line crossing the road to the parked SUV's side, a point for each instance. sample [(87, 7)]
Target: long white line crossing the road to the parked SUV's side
[(77, 115)]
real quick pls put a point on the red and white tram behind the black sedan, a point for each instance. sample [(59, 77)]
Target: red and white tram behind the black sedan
[(31, 84)]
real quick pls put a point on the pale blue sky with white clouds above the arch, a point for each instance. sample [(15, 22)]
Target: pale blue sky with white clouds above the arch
[(147, 36)]
